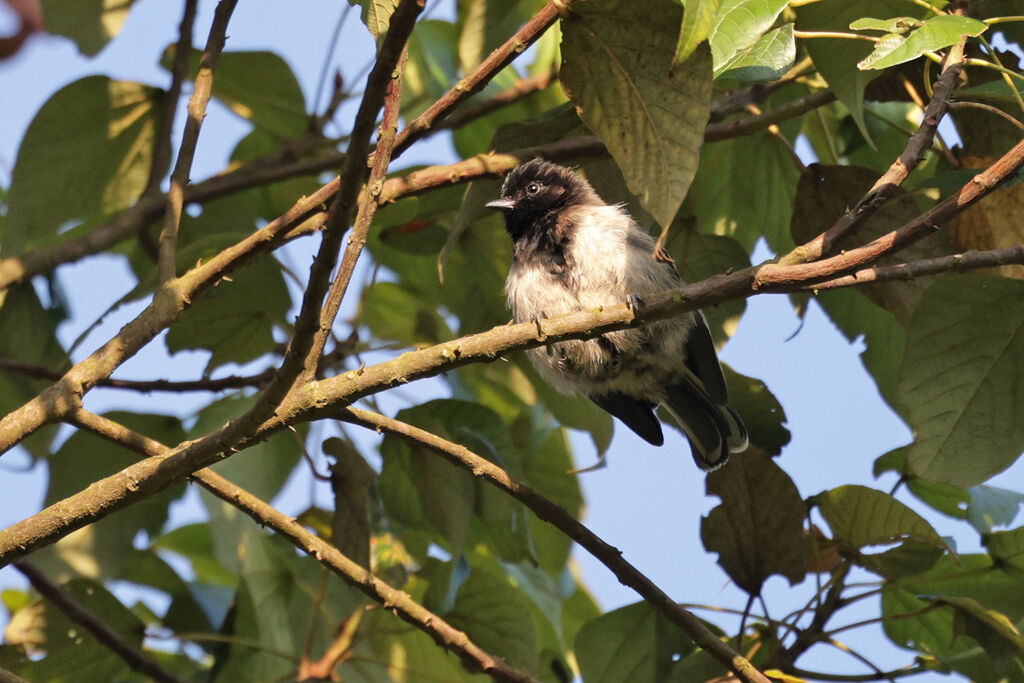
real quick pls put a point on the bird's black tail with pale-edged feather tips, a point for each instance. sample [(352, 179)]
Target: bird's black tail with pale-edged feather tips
[(714, 431)]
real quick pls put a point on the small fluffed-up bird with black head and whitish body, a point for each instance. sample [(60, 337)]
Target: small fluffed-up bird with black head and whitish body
[(573, 252)]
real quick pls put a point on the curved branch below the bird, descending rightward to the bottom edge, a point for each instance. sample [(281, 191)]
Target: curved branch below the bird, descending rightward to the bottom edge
[(571, 527)]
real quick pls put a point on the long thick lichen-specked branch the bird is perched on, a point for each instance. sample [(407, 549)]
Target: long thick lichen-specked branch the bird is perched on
[(326, 398)]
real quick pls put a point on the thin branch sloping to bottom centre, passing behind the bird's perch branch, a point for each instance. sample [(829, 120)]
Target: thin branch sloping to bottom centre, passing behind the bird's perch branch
[(325, 553)]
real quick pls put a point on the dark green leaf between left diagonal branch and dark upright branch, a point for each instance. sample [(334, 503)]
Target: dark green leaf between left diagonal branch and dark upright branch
[(230, 322)]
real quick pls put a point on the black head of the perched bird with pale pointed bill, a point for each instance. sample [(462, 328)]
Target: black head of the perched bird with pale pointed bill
[(534, 193)]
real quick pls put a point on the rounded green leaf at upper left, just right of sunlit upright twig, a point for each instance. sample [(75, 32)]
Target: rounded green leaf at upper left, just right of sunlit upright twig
[(258, 87)]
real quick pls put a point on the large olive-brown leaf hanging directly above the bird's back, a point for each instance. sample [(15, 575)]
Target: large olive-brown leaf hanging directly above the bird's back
[(618, 71)]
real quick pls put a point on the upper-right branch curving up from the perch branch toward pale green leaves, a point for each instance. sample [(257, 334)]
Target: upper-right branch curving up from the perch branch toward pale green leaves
[(885, 187)]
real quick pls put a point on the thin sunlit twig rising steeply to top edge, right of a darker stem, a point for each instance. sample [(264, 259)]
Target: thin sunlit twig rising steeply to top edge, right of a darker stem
[(202, 92)]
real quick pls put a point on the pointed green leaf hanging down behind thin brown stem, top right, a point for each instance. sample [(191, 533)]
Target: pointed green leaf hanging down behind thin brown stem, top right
[(836, 60)]
